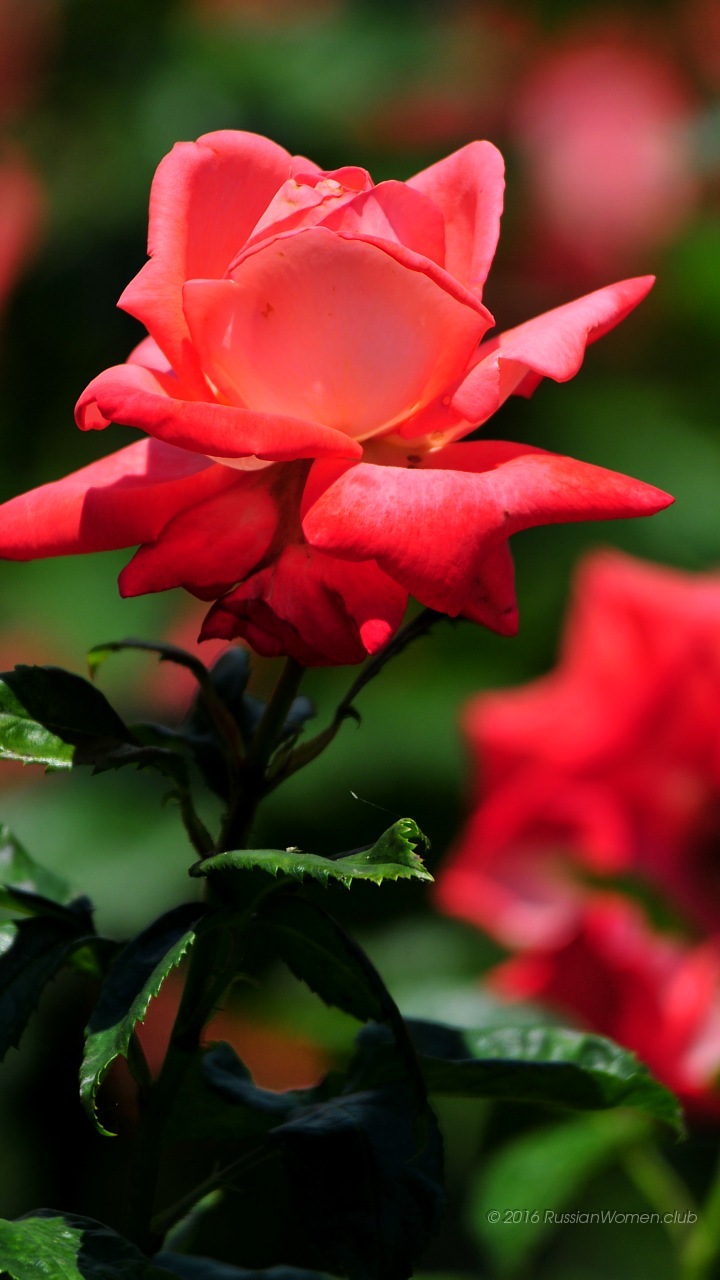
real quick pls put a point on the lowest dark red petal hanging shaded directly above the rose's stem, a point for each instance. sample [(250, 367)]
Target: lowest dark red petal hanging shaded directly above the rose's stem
[(313, 607)]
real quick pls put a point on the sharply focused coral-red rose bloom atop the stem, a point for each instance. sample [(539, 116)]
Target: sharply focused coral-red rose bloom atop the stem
[(318, 351)]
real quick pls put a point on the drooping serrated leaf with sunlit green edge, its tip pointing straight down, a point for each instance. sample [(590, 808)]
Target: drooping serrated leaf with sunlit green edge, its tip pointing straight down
[(134, 980)]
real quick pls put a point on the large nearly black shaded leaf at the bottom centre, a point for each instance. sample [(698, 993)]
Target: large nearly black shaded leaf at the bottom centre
[(376, 1218)]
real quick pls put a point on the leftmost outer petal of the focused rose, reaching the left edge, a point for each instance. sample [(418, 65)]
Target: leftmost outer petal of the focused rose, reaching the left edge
[(120, 501)]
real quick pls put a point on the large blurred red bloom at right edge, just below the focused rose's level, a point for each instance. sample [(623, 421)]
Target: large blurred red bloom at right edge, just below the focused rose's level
[(608, 767)]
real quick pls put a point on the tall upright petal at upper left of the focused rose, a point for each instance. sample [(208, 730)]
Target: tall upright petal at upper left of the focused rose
[(206, 202)]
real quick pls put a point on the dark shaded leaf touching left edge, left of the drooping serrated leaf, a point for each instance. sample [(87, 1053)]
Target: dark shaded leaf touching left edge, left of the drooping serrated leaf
[(31, 954)]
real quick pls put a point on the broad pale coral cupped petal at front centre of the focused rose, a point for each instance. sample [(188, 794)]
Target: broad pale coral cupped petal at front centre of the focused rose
[(331, 331)]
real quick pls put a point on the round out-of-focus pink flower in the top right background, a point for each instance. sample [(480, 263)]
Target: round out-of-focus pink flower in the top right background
[(603, 126)]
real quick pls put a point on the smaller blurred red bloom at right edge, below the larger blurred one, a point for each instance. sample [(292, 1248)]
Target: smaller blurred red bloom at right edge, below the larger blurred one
[(650, 993)]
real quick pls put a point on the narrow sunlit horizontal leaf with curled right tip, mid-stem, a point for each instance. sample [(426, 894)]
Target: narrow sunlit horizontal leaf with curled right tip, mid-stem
[(391, 858)]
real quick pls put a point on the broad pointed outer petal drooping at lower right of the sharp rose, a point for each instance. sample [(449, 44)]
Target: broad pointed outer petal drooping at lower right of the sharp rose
[(431, 528)]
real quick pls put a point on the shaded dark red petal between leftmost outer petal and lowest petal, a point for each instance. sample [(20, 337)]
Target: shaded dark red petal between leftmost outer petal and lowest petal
[(208, 548)]
